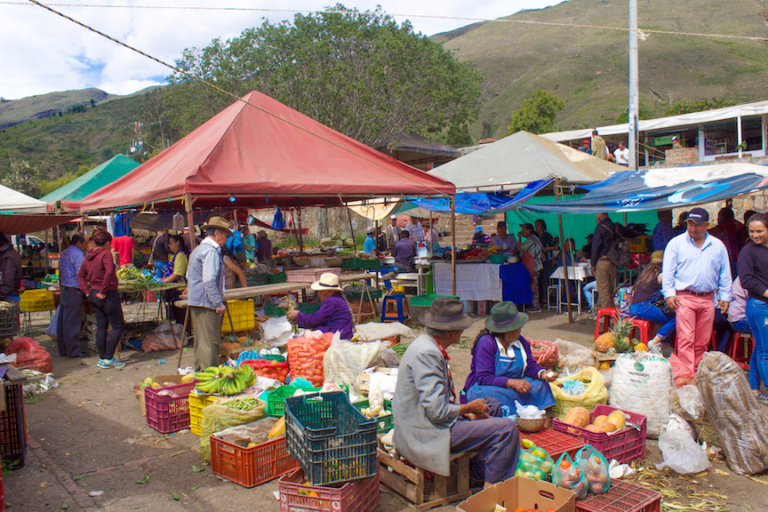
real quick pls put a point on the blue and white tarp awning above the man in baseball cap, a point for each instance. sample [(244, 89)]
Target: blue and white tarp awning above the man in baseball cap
[(662, 189)]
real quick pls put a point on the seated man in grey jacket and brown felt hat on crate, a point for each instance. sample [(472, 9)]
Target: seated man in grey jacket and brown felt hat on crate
[(431, 424)]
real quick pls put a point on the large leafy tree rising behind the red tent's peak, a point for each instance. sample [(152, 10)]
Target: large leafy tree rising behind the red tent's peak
[(358, 72)]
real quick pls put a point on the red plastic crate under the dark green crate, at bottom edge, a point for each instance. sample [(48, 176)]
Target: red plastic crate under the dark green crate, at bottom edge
[(359, 496)]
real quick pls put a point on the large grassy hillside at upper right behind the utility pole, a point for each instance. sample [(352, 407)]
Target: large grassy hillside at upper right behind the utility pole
[(587, 67)]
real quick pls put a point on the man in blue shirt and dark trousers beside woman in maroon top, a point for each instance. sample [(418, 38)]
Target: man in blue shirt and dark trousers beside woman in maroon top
[(69, 320)]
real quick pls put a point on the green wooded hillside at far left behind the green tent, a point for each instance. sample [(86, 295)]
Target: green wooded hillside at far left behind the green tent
[(59, 145)]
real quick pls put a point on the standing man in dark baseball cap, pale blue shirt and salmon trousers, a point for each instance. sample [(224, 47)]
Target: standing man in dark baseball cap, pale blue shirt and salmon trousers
[(695, 268)]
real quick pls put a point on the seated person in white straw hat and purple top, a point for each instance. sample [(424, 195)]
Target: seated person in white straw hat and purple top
[(334, 313)]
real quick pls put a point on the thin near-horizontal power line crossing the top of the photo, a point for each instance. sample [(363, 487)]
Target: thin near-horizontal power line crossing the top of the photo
[(402, 15)]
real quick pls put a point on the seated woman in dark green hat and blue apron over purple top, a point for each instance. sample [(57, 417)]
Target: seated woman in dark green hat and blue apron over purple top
[(502, 363)]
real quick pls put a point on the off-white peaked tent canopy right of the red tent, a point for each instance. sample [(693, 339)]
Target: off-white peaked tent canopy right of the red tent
[(519, 159)]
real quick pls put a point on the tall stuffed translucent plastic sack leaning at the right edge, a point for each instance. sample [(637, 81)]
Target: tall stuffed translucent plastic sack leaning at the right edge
[(735, 413)]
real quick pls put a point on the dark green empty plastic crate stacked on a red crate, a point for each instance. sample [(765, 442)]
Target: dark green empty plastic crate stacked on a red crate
[(331, 439)]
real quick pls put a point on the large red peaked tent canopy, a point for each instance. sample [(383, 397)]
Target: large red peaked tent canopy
[(260, 153)]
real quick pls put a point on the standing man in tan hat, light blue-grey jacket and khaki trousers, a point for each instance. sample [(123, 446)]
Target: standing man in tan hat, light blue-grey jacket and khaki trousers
[(205, 278)]
